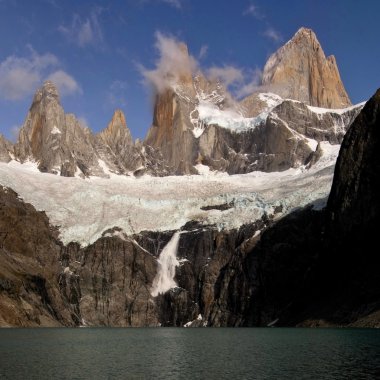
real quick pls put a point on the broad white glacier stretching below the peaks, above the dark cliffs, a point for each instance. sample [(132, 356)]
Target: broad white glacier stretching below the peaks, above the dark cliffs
[(84, 209)]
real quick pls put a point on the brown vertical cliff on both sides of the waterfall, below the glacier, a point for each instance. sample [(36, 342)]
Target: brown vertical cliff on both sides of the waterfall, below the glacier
[(116, 276)]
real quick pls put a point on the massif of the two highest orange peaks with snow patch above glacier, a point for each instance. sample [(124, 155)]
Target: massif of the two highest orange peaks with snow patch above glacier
[(196, 120)]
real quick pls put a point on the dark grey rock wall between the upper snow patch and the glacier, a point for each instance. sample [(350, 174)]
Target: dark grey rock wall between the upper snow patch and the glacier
[(278, 143)]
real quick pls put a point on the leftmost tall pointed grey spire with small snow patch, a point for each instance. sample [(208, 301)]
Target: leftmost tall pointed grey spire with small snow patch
[(55, 140)]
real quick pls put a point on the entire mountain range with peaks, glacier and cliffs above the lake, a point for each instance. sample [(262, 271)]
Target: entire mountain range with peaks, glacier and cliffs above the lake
[(222, 216)]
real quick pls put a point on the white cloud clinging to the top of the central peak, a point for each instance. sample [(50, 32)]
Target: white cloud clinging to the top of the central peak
[(174, 62)]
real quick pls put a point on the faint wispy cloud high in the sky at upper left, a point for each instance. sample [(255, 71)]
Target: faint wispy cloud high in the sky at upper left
[(85, 31)]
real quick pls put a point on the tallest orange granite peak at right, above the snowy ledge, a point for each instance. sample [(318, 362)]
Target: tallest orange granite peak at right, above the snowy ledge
[(300, 70)]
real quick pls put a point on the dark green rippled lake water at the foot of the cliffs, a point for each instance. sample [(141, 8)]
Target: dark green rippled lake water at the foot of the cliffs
[(175, 353)]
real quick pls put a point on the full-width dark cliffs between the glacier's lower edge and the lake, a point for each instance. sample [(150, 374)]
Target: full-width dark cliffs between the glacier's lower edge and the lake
[(314, 268)]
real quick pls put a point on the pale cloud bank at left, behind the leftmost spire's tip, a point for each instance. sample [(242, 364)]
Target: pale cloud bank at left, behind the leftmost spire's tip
[(20, 76)]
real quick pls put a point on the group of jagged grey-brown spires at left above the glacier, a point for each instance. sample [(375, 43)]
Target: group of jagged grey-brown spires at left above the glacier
[(61, 145)]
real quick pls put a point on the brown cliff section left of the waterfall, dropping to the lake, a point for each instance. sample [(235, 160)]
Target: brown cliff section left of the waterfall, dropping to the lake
[(115, 280)]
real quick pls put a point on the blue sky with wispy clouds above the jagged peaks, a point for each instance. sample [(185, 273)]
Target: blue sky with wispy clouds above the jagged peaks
[(97, 52)]
